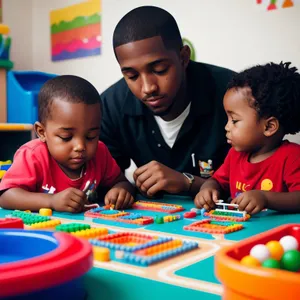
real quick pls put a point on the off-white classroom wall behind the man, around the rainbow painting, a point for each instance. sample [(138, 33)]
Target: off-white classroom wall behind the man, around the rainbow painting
[(232, 33)]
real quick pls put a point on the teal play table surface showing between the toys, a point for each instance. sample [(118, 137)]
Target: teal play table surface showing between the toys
[(108, 284)]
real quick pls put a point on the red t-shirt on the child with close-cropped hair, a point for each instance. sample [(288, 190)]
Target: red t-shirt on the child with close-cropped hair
[(35, 170)]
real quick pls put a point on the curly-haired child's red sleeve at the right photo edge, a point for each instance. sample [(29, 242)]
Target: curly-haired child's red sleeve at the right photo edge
[(292, 172)]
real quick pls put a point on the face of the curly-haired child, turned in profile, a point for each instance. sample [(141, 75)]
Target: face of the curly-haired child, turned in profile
[(244, 130)]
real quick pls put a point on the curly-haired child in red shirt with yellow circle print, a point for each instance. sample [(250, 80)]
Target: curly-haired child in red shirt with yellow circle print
[(261, 170)]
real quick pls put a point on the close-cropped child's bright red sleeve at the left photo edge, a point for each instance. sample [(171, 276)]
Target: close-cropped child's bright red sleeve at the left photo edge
[(23, 173)]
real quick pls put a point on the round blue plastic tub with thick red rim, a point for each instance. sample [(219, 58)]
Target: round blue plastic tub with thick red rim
[(37, 264)]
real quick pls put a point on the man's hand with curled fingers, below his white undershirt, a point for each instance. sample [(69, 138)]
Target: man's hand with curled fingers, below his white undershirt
[(154, 177)]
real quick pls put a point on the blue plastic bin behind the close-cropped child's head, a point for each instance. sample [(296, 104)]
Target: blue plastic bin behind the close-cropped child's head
[(22, 95)]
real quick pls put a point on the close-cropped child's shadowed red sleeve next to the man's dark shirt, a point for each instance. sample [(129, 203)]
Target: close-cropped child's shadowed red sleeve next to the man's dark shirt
[(110, 170)]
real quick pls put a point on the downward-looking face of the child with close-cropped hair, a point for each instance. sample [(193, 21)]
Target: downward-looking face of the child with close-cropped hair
[(72, 134)]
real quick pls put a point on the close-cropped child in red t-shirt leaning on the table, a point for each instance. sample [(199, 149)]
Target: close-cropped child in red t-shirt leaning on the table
[(68, 161)]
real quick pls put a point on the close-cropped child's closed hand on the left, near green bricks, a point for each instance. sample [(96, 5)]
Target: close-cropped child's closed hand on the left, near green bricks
[(70, 200)]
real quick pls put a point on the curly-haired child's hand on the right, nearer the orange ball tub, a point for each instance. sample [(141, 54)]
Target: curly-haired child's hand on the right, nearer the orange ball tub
[(251, 201)]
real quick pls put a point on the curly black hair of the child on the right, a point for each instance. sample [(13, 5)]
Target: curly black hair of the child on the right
[(276, 92)]
